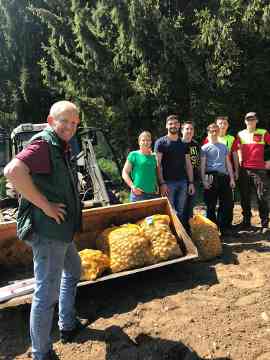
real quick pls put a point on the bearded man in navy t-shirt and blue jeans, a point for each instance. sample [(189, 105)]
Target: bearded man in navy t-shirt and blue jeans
[(175, 170)]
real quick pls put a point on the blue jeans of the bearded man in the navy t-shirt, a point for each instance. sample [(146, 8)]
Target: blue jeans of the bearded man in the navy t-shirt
[(177, 196)]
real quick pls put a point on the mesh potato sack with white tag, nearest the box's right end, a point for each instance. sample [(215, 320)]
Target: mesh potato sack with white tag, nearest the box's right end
[(163, 243)]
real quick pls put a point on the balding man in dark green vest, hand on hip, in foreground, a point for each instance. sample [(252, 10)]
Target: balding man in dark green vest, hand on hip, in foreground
[(49, 215)]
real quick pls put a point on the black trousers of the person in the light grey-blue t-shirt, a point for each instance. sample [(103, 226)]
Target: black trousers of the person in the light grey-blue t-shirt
[(221, 192)]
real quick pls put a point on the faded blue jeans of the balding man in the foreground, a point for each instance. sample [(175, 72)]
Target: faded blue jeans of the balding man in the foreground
[(57, 270)]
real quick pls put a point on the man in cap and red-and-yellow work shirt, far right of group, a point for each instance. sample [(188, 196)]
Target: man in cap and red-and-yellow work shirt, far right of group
[(251, 143)]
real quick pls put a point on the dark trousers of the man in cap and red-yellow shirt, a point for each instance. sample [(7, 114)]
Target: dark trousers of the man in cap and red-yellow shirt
[(258, 180)]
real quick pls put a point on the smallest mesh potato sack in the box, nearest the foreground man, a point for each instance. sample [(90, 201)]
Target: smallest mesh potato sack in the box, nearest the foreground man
[(94, 262)]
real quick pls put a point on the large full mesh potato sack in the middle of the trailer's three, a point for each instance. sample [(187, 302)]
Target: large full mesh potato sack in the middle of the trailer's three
[(126, 247)]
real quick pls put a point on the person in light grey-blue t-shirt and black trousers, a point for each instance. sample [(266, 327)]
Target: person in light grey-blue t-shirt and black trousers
[(218, 180)]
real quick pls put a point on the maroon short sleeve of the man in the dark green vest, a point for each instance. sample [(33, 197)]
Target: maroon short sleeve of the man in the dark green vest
[(37, 157)]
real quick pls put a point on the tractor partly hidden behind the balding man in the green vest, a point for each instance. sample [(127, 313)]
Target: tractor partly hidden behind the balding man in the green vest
[(94, 159)]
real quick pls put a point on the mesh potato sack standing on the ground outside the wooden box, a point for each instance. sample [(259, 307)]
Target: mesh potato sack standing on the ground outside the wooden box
[(205, 236)]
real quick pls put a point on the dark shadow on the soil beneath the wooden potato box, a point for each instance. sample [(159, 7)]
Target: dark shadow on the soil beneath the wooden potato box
[(124, 294)]
